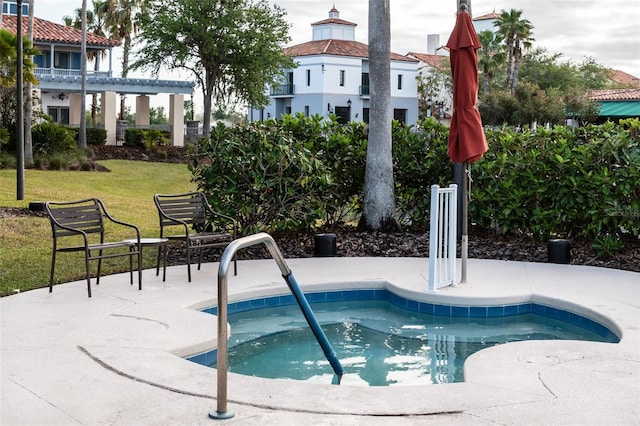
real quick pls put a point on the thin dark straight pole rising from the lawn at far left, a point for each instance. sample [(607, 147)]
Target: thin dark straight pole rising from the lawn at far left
[(19, 107)]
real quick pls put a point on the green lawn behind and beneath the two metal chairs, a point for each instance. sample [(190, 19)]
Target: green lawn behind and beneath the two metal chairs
[(127, 192)]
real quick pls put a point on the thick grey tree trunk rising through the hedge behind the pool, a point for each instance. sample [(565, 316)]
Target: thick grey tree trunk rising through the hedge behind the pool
[(379, 199)]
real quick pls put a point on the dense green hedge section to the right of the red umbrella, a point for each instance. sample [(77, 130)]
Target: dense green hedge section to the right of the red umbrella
[(560, 182)]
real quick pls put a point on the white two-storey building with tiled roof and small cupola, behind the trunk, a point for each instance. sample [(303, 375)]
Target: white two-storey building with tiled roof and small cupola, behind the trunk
[(332, 77)]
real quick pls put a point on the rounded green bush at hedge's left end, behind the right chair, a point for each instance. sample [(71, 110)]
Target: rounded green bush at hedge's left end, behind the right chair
[(259, 174)]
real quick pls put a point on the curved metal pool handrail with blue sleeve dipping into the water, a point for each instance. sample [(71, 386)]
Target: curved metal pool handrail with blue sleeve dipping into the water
[(222, 360)]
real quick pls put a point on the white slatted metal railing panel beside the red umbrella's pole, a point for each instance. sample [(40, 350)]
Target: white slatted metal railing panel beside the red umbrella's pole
[(442, 236)]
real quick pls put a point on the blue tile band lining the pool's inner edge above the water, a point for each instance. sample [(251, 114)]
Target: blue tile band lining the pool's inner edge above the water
[(452, 311)]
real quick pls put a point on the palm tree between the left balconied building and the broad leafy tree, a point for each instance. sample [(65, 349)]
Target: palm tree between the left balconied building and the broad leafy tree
[(122, 21)]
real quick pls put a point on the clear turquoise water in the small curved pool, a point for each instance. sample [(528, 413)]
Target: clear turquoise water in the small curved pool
[(378, 344)]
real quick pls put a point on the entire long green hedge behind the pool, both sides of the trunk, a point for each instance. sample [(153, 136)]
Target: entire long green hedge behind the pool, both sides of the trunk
[(301, 172)]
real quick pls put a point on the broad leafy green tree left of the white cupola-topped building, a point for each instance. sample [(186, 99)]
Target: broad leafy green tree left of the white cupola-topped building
[(233, 48)]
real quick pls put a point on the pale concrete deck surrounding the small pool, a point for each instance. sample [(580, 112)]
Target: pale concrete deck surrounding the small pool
[(115, 358)]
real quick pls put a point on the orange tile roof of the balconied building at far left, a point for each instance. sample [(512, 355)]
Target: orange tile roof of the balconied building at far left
[(50, 32)]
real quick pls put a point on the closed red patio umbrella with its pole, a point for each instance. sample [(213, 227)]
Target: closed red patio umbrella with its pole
[(467, 142)]
